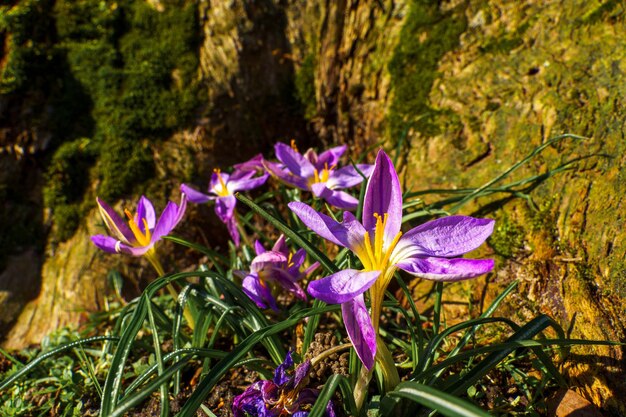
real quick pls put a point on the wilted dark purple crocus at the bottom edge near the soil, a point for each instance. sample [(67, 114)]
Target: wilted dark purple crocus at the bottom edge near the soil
[(283, 396)]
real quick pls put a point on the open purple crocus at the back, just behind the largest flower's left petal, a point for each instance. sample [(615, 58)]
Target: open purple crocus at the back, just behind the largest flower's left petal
[(318, 173)]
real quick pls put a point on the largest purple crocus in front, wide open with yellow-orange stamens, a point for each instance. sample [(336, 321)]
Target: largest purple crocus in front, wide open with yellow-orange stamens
[(429, 251)]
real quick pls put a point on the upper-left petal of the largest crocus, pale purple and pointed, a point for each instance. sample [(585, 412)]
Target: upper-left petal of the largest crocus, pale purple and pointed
[(348, 234)]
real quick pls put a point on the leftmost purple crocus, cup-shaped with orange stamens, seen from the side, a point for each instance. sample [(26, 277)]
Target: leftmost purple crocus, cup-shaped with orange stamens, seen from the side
[(138, 235)]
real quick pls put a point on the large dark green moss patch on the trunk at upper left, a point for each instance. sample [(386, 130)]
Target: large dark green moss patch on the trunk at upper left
[(131, 71)]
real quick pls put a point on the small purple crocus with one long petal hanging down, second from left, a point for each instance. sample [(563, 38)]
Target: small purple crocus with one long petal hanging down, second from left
[(222, 189)]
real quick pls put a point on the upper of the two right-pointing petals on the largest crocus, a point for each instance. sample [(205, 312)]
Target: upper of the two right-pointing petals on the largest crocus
[(446, 237)]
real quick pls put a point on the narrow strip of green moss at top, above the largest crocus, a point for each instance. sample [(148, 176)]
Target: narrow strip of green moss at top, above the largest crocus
[(425, 37)]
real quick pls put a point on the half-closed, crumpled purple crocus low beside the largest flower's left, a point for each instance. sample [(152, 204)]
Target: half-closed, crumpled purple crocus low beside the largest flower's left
[(279, 266)]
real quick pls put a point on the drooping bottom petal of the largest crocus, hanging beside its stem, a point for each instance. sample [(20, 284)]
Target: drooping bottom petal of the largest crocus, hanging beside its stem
[(360, 330)]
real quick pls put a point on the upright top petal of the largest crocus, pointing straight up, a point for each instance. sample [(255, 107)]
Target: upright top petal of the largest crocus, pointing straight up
[(383, 196)]
